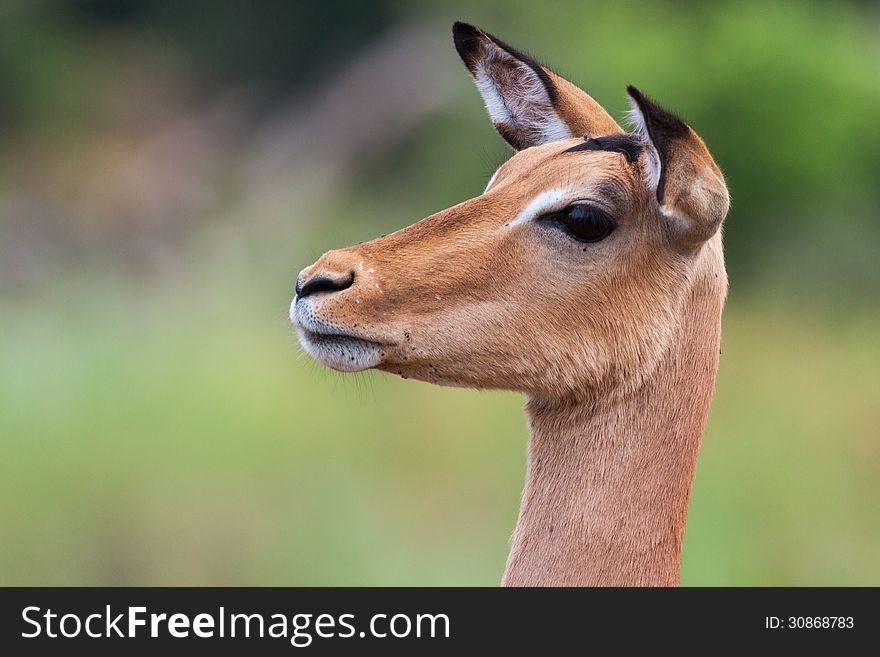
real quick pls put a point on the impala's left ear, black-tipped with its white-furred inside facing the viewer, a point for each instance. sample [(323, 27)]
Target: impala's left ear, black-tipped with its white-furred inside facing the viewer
[(528, 103)]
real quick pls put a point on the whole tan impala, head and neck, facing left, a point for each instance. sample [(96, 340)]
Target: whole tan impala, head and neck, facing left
[(590, 276)]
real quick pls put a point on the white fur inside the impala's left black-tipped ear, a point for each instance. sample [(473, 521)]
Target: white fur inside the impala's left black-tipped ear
[(523, 102)]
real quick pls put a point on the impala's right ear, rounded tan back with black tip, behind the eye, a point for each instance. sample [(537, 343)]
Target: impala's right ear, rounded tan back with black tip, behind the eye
[(690, 187)]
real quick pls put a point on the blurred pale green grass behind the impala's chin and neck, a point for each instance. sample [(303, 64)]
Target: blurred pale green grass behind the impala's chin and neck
[(173, 435)]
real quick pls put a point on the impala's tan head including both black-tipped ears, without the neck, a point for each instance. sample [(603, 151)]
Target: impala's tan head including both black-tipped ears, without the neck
[(563, 278)]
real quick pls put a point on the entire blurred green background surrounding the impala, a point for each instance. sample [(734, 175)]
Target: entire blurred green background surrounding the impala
[(167, 168)]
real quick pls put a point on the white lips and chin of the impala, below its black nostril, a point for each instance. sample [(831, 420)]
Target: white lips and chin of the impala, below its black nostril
[(331, 344)]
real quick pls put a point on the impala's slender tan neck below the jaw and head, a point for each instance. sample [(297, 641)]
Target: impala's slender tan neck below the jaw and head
[(608, 483)]
